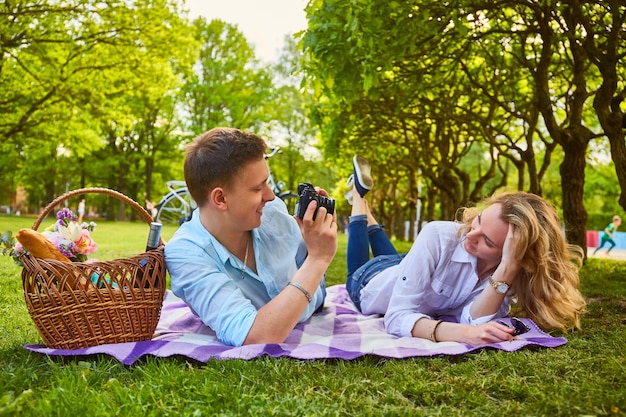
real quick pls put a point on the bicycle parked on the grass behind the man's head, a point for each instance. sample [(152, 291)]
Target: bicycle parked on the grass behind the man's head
[(177, 205)]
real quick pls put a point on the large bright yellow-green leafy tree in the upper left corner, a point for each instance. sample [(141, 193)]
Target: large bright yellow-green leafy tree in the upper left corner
[(71, 70)]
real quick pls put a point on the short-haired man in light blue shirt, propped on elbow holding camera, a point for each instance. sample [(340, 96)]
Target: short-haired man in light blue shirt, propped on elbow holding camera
[(250, 270)]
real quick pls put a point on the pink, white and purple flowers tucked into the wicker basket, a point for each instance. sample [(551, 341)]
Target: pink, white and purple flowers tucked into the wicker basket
[(71, 239)]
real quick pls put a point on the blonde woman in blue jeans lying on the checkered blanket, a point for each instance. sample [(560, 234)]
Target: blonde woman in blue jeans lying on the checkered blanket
[(457, 277)]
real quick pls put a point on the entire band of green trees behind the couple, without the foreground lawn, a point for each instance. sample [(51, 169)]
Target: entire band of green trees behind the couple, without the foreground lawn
[(450, 104)]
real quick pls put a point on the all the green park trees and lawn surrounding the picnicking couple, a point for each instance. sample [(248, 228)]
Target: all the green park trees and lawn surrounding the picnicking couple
[(450, 100)]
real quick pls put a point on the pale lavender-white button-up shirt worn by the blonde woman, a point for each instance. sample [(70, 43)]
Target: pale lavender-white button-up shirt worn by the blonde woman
[(436, 279)]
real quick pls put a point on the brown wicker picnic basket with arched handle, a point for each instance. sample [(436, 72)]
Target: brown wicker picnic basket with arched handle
[(81, 304)]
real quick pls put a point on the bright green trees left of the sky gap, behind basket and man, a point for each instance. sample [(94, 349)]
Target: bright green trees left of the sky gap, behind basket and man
[(108, 93)]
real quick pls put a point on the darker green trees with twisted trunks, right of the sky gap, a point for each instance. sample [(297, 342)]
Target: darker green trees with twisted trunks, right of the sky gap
[(474, 93)]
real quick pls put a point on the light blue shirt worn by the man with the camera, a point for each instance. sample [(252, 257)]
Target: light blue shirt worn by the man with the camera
[(209, 278)]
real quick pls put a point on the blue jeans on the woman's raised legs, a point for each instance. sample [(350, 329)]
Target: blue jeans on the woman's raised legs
[(361, 269)]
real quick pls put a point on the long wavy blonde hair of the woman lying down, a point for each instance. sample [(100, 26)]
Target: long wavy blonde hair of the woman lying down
[(547, 288)]
